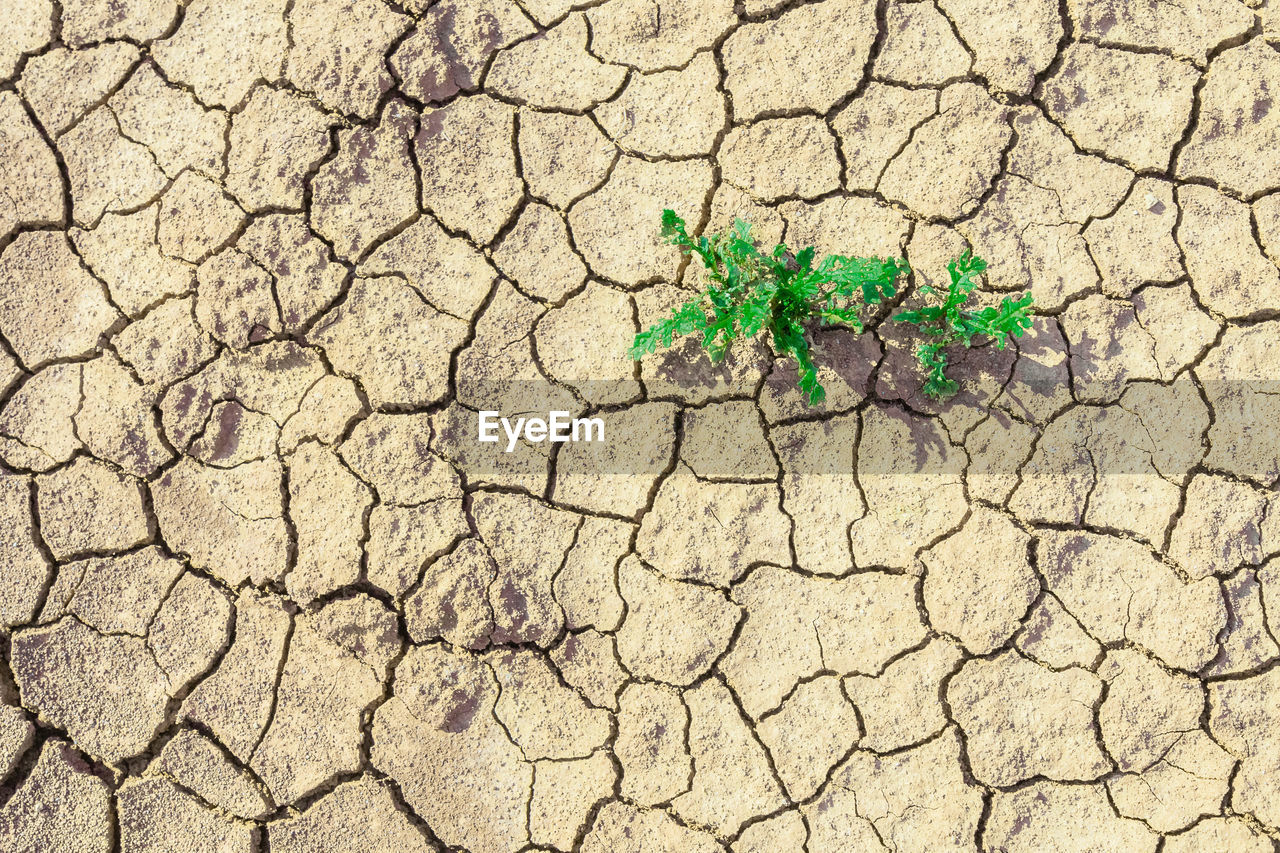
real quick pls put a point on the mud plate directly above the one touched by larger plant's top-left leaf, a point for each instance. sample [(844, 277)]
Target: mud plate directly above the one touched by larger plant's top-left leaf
[(674, 113)]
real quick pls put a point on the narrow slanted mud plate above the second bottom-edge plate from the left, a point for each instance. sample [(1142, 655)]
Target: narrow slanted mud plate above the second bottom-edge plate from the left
[(196, 763)]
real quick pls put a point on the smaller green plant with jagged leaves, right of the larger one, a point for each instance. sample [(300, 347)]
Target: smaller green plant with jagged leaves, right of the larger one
[(952, 323)]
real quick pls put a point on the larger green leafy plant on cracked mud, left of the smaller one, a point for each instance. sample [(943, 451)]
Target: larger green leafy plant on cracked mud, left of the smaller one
[(749, 291)]
